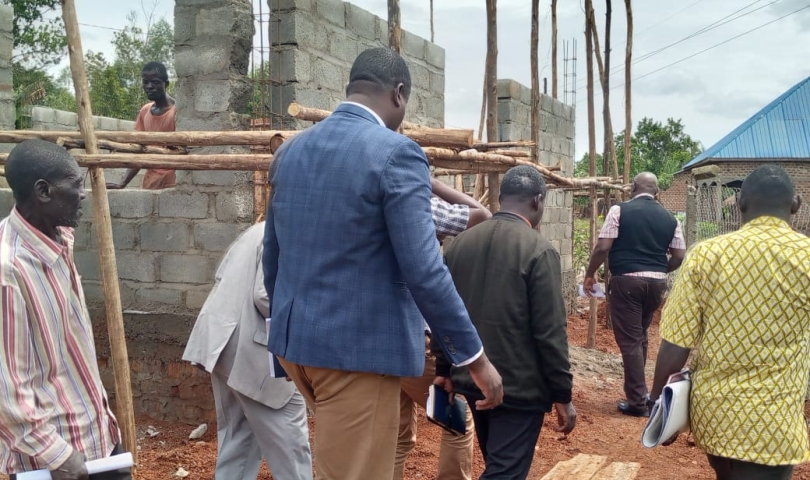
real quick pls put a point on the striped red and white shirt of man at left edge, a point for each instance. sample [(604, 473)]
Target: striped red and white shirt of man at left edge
[(51, 397)]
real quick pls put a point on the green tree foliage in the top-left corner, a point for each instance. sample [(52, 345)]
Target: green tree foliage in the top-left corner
[(39, 34)]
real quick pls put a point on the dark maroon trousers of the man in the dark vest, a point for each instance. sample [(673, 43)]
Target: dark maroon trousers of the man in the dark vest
[(633, 300)]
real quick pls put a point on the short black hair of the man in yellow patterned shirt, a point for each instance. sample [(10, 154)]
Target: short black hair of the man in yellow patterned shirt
[(768, 187)]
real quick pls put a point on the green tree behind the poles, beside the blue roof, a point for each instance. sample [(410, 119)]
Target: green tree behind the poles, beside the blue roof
[(660, 148)]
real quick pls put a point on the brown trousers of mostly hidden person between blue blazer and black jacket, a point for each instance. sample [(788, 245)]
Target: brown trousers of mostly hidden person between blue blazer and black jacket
[(455, 453)]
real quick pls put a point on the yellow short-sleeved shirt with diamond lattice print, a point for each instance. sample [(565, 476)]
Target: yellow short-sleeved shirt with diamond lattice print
[(743, 300)]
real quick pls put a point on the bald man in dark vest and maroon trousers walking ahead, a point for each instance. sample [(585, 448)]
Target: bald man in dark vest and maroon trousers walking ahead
[(636, 238)]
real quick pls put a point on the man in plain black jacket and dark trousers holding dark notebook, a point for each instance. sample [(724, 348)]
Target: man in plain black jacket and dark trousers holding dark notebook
[(509, 278)]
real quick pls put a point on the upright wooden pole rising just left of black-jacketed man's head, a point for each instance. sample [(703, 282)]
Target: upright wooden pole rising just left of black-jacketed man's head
[(491, 75)]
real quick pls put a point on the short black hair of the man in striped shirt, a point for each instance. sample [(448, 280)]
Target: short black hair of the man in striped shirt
[(34, 160)]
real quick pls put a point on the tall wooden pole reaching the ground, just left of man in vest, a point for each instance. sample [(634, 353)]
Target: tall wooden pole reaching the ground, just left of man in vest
[(591, 157)]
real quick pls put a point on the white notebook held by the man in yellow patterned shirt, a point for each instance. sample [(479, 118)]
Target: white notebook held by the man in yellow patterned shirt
[(670, 414)]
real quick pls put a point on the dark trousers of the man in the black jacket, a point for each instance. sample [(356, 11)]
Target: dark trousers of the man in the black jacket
[(507, 439)]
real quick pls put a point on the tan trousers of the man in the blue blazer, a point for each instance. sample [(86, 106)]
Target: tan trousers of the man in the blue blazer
[(356, 421)]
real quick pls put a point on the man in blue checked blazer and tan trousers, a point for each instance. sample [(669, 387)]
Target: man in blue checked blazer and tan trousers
[(352, 265)]
